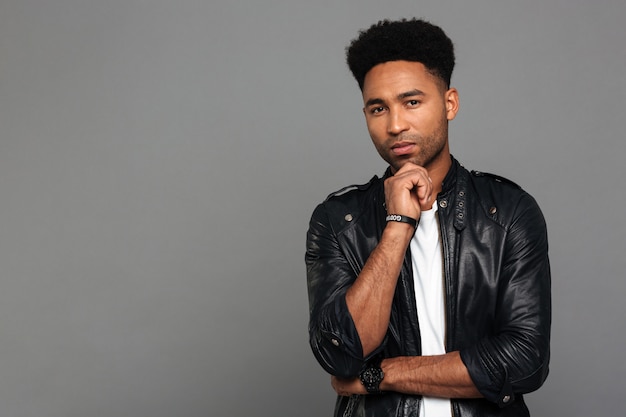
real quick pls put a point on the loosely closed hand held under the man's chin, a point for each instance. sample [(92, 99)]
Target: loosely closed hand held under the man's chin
[(409, 191)]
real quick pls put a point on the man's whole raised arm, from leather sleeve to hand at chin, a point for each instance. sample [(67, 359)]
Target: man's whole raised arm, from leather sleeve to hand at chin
[(349, 315)]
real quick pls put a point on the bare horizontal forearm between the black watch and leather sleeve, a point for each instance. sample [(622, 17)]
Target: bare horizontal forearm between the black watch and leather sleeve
[(435, 376)]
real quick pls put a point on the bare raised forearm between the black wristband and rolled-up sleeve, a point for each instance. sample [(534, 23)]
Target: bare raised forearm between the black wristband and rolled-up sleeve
[(370, 297)]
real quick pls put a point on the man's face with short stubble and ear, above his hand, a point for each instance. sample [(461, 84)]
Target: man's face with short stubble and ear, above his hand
[(407, 110)]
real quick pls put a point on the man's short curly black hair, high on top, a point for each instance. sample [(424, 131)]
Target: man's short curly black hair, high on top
[(412, 40)]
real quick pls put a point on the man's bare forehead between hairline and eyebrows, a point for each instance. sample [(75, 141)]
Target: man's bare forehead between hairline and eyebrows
[(395, 77)]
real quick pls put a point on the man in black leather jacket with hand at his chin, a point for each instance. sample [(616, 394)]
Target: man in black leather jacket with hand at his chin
[(429, 289)]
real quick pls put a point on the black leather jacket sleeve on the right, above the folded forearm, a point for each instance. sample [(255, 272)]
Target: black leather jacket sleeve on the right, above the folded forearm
[(515, 359)]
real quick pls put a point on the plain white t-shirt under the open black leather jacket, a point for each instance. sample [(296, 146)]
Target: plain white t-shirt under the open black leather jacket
[(427, 262)]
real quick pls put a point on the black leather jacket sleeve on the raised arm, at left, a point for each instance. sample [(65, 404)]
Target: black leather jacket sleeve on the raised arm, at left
[(332, 334)]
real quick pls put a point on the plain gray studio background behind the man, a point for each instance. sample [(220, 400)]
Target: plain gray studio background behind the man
[(159, 161)]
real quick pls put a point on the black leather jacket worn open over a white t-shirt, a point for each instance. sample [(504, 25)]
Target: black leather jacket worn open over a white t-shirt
[(497, 291)]
